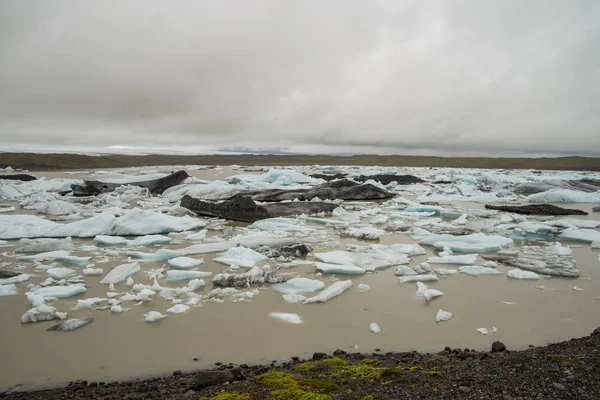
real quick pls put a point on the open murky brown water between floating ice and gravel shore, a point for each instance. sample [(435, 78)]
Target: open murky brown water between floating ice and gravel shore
[(120, 346)]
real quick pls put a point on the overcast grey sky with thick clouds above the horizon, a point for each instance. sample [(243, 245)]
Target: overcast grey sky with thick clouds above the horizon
[(421, 76)]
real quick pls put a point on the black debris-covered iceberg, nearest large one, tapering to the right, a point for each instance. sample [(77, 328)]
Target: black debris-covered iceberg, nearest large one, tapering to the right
[(243, 208)]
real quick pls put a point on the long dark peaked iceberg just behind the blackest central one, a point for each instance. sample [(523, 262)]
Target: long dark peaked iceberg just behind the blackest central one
[(343, 189)]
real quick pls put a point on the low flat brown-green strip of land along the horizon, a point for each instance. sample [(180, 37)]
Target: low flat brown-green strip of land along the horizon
[(58, 162)]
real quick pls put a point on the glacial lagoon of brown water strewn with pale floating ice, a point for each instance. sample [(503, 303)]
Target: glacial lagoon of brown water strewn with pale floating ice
[(128, 257)]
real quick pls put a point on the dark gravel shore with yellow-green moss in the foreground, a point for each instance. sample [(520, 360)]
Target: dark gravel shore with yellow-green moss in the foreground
[(566, 370)]
